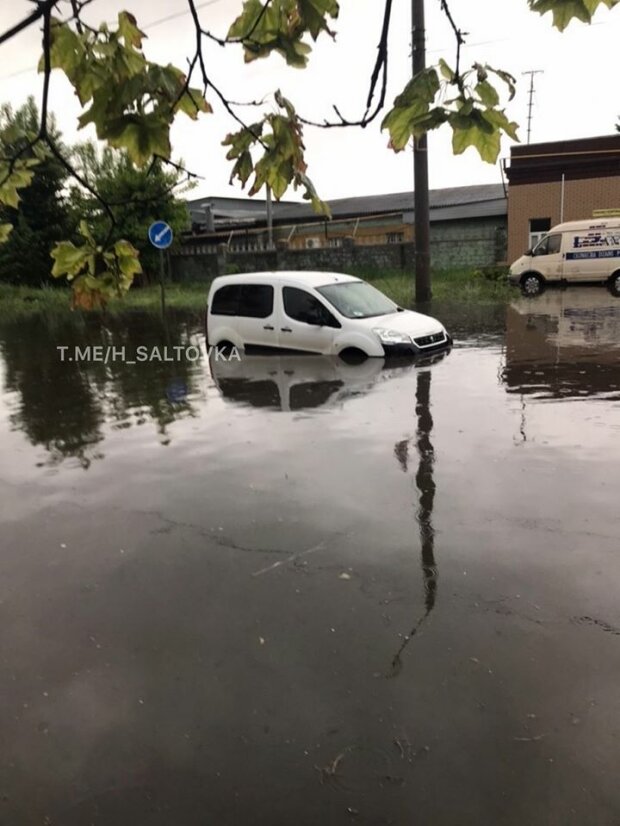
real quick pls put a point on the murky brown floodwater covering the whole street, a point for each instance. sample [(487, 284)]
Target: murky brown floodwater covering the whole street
[(293, 591)]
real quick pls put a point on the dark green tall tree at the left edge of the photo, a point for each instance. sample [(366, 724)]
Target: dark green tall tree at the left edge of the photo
[(42, 218)]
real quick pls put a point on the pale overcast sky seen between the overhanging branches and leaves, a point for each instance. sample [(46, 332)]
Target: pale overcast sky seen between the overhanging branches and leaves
[(576, 96)]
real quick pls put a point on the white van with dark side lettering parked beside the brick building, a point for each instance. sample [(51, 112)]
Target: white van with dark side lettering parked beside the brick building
[(572, 252)]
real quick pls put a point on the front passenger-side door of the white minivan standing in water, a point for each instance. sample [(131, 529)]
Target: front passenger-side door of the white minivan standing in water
[(305, 322)]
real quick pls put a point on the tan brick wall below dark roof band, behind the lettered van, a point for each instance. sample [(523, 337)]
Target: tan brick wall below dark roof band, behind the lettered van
[(543, 200)]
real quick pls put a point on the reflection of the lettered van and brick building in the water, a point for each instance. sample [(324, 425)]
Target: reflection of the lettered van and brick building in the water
[(564, 343)]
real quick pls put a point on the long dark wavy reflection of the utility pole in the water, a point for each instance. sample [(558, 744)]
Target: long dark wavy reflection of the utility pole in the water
[(425, 484)]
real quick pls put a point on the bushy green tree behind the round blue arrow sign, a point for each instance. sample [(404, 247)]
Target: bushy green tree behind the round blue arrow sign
[(137, 196)]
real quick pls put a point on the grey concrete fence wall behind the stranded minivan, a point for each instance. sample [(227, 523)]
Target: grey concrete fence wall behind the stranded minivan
[(466, 244)]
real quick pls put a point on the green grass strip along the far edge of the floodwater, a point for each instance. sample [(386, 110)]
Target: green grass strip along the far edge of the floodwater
[(462, 286)]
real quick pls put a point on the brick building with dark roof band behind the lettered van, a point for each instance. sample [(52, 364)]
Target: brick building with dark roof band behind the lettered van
[(561, 181)]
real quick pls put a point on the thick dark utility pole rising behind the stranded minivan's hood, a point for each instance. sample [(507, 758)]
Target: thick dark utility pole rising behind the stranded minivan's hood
[(420, 169)]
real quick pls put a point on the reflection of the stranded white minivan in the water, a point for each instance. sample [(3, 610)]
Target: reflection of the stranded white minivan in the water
[(292, 383)]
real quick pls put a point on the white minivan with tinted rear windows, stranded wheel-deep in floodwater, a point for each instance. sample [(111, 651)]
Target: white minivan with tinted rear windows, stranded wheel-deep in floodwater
[(315, 312)]
